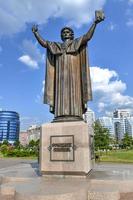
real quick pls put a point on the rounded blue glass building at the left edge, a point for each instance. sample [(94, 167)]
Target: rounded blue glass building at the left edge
[(9, 126)]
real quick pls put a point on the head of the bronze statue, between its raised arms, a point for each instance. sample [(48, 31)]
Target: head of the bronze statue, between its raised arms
[(67, 34)]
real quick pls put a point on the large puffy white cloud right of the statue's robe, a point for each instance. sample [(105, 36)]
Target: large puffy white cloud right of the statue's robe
[(108, 90)]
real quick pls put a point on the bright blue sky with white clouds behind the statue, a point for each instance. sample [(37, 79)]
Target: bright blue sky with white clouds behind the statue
[(22, 59)]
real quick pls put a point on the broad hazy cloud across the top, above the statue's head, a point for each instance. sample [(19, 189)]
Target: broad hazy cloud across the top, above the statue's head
[(15, 15)]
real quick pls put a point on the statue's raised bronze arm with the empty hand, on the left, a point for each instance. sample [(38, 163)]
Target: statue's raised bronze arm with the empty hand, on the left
[(42, 42)]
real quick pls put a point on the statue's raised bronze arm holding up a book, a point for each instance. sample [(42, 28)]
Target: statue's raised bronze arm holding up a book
[(91, 31)]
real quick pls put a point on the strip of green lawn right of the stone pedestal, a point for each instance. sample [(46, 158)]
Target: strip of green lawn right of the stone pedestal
[(121, 156)]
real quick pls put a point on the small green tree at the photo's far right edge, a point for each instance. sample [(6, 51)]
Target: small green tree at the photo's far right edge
[(127, 141)]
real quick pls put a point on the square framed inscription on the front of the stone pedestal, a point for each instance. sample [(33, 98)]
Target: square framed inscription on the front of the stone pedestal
[(61, 148)]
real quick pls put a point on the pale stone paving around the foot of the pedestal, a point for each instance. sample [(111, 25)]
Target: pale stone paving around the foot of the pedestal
[(22, 174)]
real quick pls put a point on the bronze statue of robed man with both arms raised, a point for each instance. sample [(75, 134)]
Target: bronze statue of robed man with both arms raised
[(67, 78)]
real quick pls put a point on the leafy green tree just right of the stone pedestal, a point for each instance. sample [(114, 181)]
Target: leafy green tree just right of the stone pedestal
[(101, 137)]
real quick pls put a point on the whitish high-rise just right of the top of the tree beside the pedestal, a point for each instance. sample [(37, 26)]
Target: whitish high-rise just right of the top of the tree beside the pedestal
[(107, 122)]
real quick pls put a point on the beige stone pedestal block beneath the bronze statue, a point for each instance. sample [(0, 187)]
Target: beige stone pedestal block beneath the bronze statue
[(66, 149)]
